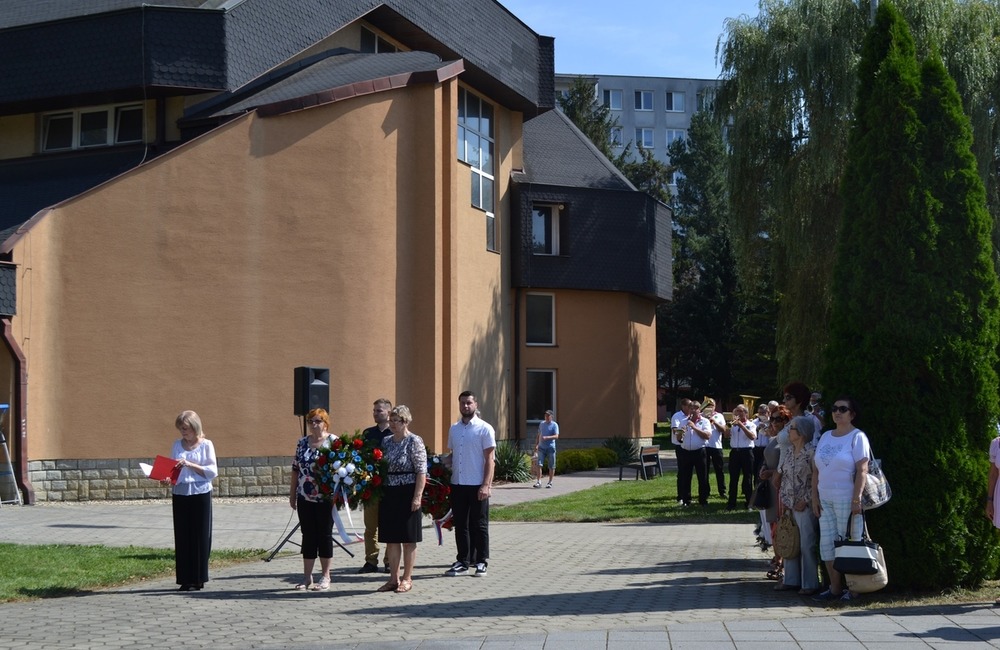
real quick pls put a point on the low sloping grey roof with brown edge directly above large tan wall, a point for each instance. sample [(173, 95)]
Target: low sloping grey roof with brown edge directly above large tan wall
[(342, 72)]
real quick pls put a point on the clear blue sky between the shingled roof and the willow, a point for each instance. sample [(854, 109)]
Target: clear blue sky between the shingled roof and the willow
[(654, 38)]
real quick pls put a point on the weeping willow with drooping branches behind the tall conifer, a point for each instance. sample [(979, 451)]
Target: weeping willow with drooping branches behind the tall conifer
[(788, 88)]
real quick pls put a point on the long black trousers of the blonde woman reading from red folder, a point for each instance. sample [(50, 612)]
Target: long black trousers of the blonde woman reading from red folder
[(192, 537)]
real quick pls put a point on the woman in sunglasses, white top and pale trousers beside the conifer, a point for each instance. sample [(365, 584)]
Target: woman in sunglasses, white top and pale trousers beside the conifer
[(840, 468)]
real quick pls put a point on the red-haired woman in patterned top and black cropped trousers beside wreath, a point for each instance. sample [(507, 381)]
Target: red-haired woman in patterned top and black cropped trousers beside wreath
[(315, 514)]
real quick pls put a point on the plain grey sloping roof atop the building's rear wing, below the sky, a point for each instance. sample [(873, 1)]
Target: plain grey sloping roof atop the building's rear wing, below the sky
[(558, 153)]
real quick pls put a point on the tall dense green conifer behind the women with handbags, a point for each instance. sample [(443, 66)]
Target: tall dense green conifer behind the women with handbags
[(914, 314)]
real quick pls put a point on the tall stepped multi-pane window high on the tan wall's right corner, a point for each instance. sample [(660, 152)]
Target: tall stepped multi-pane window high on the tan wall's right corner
[(476, 143)]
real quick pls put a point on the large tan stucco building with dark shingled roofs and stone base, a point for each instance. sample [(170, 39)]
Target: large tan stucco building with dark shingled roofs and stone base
[(305, 204)]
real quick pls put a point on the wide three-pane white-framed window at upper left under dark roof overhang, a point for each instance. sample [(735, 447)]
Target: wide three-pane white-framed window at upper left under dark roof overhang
[(98, 126)]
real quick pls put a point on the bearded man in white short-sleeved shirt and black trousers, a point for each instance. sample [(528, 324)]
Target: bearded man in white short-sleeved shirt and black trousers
[(472, 442)]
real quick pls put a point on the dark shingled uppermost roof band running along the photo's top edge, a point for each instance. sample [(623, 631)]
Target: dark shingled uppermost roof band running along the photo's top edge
[(59, 53)]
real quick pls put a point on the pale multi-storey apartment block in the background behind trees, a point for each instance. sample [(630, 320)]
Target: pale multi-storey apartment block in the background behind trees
[(651, 112)]
